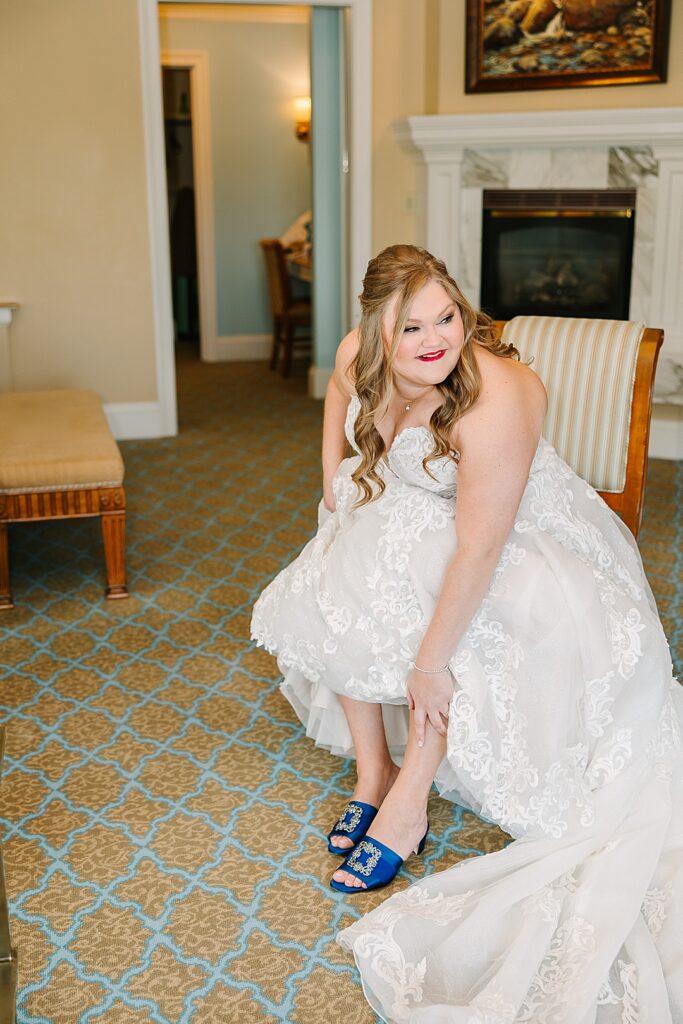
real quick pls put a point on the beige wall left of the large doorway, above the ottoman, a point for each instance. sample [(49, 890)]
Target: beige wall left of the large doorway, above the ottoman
[(74, 248)]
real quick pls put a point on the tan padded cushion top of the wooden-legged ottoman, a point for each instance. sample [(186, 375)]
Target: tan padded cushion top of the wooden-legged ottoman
[(55, 441)]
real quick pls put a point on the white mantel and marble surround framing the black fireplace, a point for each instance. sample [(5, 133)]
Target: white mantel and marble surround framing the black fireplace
[(459, 156)]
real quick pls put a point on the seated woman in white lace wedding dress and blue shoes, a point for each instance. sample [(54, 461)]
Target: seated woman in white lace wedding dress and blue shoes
[(504, 644)]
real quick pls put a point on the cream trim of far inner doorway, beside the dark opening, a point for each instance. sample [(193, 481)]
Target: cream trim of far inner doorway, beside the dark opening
[(197, 62)]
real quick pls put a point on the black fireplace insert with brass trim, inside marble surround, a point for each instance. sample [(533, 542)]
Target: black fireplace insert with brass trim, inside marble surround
[(558, 252)]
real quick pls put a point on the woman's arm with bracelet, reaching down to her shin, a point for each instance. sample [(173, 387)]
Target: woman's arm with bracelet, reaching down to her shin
[(498, 441)]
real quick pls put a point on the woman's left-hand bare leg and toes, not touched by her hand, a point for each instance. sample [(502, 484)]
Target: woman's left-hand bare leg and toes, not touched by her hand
[(376, 772)]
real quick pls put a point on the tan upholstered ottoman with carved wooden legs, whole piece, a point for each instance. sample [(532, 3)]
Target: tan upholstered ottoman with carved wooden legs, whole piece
[(59, 460)]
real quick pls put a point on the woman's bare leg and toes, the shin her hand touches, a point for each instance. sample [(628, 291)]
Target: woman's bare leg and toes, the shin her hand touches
[(403, 818)]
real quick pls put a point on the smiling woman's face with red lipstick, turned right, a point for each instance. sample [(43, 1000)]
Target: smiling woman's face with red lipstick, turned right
[(433, 338)]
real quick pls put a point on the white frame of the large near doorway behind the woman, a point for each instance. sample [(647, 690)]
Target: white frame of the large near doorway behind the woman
[(361, 47)]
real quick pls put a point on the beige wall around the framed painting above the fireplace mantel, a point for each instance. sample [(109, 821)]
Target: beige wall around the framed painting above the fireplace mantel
[(419, 55)]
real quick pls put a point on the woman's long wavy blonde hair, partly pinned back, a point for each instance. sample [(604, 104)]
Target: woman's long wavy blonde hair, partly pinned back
[(405, 270)]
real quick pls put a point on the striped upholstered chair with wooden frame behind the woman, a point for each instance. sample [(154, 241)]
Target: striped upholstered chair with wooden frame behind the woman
[(600, 376)]
